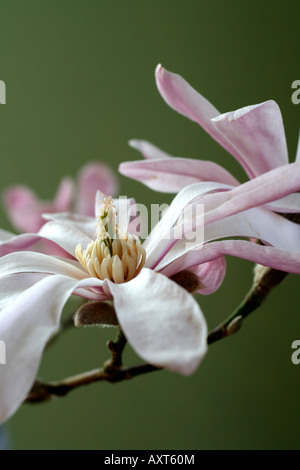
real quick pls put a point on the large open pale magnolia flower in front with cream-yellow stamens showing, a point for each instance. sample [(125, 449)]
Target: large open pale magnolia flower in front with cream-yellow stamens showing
[(149, 283)]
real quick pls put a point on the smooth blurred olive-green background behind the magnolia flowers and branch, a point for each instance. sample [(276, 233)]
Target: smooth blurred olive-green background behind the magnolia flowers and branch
[(80, 84)]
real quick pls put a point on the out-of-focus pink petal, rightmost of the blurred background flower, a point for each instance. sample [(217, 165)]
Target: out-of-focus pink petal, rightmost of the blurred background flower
[(91, 178)]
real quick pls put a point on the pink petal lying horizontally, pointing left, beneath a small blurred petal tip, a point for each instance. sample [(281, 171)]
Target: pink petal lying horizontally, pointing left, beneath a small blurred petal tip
[(172, 175)]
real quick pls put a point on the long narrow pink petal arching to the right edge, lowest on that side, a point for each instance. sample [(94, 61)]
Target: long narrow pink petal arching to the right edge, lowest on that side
[(276, 258)]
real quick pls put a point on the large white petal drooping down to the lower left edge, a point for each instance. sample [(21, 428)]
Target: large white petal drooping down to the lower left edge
[(25, 327)]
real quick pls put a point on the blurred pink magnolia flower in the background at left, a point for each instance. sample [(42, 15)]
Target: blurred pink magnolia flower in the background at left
[(25, 210)]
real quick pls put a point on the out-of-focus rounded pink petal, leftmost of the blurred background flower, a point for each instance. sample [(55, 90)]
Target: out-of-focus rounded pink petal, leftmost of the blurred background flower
[(24, 209)]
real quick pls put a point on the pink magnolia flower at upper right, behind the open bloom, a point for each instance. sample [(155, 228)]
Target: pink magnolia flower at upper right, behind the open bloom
[(254, 135)]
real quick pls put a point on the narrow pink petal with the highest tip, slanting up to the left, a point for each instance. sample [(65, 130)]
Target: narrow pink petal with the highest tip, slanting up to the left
[(180, 96)]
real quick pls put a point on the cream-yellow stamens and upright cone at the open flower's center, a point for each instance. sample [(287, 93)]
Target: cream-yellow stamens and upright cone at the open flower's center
[(115, 256)]
